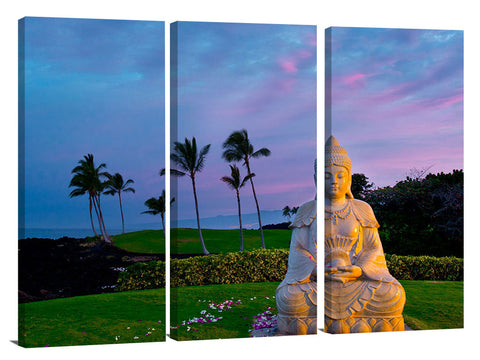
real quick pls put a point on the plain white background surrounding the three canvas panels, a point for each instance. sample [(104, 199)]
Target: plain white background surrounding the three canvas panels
[(453, 15)]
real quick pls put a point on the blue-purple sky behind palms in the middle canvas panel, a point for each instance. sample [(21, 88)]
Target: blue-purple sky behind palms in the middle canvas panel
[(257, 77)]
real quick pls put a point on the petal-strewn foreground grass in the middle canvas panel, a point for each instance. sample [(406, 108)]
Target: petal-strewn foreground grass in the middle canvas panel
[(188, 303)]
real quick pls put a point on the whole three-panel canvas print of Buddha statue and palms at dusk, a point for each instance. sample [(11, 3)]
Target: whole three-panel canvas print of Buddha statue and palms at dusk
[(243, 174)]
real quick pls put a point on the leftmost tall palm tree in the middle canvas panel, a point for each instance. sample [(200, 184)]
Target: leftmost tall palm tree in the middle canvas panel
[(190, 161)]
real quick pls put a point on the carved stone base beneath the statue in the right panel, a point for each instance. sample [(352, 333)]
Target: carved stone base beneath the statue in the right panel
[(363, 324)]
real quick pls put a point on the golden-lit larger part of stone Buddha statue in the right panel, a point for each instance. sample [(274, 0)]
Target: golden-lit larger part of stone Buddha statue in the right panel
[(360, 293)]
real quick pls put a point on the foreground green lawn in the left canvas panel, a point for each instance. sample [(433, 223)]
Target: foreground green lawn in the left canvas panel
[(134, 316)]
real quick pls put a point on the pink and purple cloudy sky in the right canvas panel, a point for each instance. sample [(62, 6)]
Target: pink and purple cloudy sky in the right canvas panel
[(396, 99)]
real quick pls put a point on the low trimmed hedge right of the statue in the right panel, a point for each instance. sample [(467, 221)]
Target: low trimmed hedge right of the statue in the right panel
[(425, 267)]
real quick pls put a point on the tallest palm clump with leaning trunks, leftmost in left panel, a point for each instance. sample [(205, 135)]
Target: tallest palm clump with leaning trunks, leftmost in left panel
[(87, 179)]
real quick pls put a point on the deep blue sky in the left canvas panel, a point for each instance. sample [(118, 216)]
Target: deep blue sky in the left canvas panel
[(92, 86)]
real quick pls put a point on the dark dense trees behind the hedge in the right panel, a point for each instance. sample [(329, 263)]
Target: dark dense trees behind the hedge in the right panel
[(418, 216)]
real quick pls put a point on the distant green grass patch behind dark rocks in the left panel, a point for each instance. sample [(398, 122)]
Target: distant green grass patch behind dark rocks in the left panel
[(145, 241)]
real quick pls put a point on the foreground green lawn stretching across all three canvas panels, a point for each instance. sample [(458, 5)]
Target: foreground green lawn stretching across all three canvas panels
[(133, 316)]
